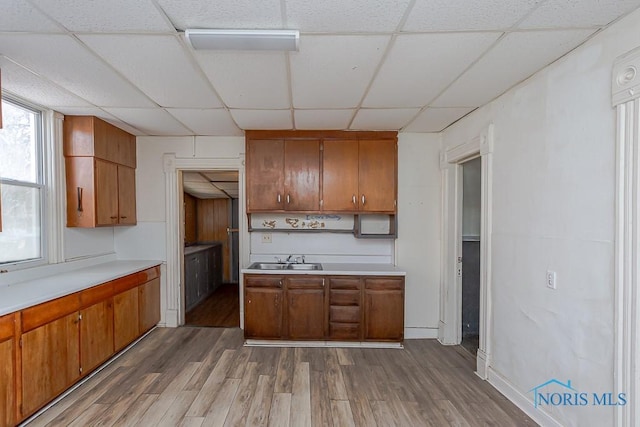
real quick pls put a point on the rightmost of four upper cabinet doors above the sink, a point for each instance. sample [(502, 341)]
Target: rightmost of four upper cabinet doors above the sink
[(377, 175)]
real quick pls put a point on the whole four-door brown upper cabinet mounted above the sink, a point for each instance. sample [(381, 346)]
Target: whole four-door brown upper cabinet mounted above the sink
[(321, 171)]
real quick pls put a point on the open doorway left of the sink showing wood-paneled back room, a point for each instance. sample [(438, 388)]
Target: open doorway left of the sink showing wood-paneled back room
[(211, 248)]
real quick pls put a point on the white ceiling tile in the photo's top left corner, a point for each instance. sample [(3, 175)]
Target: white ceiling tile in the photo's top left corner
[(18, 15)]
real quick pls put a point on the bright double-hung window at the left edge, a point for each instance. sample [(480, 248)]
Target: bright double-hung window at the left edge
[(21, 184)]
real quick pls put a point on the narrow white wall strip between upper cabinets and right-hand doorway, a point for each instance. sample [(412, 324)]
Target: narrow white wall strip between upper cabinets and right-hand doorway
[(418, 243)]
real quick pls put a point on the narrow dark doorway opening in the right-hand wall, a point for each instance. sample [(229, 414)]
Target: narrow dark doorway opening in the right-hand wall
[(471, 223)]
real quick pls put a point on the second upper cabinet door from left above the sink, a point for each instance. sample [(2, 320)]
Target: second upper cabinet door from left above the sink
[(302, 175)]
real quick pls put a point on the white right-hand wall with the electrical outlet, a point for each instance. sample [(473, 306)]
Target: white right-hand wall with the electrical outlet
[(553, 209)]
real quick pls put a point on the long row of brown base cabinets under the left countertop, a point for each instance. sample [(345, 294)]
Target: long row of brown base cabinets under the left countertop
[(67, 338)]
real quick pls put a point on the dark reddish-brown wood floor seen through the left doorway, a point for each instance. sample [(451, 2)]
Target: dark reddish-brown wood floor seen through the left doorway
[(220, 309)]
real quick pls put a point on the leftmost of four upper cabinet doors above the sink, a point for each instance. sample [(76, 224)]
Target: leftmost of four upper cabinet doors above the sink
[(265, 175)]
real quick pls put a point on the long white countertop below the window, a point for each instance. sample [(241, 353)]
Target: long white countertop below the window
[(16, 296)]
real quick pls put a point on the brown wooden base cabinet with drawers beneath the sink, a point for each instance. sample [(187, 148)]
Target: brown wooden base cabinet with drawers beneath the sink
[(310, 307)]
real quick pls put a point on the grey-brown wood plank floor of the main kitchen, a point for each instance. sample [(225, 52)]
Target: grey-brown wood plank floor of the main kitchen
[(205, 377)]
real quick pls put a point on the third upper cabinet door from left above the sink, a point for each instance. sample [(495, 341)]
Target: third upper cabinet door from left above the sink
[(340, 175)]
